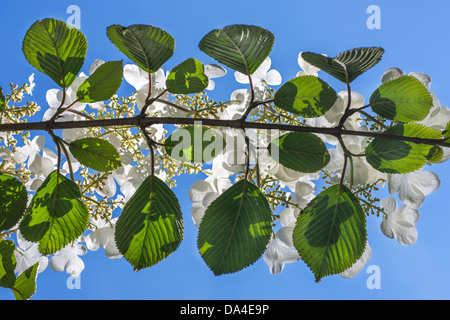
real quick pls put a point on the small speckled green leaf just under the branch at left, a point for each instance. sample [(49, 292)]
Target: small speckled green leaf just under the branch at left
[(95, 153)]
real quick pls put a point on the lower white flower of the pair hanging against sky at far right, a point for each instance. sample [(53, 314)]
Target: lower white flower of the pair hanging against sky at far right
[(399, 223)]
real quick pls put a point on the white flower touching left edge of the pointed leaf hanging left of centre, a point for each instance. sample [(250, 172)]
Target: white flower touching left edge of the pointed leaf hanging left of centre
[(103, 236)]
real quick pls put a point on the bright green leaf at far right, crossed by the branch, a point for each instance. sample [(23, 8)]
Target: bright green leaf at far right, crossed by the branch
[(396, 156)]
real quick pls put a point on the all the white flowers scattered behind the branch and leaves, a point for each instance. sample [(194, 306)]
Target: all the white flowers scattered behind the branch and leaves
[(397, 223)]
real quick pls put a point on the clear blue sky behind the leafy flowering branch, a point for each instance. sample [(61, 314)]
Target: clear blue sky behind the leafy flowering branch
[(415, 37)]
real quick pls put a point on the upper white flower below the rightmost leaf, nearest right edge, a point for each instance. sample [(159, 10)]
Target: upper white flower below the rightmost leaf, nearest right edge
[(413, 187)]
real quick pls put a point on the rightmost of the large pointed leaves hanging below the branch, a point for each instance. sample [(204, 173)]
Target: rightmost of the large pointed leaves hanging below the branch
[(330, 233)]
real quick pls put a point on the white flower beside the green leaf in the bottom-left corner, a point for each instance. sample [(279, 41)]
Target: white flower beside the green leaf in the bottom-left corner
[(27, 254)]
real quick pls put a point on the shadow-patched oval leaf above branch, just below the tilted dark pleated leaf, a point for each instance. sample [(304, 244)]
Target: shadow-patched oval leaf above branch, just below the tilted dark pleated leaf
[(307, 96)]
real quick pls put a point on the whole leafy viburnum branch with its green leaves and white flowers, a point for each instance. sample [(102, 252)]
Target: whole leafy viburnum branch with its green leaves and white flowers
[(262, 150)]
